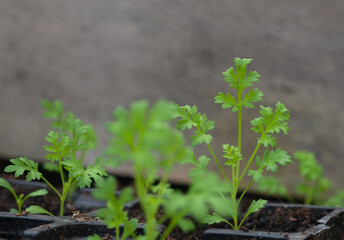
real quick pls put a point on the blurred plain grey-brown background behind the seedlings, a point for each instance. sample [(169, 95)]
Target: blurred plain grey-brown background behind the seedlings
[(94, 55)]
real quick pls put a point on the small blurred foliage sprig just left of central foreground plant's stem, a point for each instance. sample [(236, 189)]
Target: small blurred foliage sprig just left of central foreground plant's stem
[(114, 214)]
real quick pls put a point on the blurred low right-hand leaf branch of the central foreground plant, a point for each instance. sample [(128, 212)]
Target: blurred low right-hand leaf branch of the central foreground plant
[(204, 192)]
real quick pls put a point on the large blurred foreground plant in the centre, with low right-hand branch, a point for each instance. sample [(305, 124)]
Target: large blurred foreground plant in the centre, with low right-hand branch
[(144, 136)]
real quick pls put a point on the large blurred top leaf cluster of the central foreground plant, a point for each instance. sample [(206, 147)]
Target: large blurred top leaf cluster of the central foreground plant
[(144, 136)]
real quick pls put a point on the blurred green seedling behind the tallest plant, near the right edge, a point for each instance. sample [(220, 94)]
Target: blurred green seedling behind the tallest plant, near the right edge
[(312, 188)]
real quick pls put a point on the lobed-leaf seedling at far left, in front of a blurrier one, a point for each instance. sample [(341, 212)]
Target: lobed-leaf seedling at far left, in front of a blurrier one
[(63, 148)]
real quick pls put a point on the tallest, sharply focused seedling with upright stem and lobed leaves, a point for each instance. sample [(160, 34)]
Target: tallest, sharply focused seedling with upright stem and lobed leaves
[(271, 121)]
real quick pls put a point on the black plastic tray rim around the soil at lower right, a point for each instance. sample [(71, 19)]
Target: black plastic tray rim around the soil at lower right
[(330, 226)]
